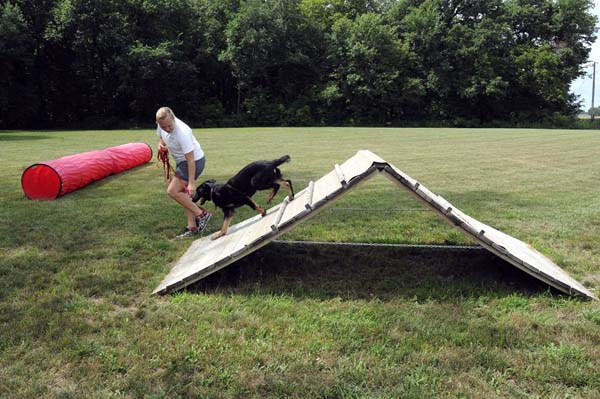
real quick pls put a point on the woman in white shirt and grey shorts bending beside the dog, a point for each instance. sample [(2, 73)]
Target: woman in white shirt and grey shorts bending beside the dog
[(178, 138)]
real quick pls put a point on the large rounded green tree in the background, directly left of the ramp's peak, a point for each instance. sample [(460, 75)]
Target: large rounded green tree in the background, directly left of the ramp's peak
[(274, 53)]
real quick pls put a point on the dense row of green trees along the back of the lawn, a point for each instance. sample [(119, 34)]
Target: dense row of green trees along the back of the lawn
[(112, 63)]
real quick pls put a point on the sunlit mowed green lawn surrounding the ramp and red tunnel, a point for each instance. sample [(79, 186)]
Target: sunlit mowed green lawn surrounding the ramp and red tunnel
[(77, 319)]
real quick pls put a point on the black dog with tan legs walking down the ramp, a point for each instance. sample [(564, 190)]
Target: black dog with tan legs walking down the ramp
[(238, 191)]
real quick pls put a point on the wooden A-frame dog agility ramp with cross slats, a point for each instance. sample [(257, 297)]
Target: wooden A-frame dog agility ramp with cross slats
[(206, 256)]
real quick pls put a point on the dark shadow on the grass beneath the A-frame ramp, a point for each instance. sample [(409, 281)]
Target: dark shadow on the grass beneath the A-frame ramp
[(385, 273)]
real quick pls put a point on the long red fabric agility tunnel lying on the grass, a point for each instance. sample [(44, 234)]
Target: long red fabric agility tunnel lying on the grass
[(53, 179)]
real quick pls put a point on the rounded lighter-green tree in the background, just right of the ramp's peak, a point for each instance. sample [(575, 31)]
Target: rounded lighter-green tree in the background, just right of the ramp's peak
[(366, 80)]
